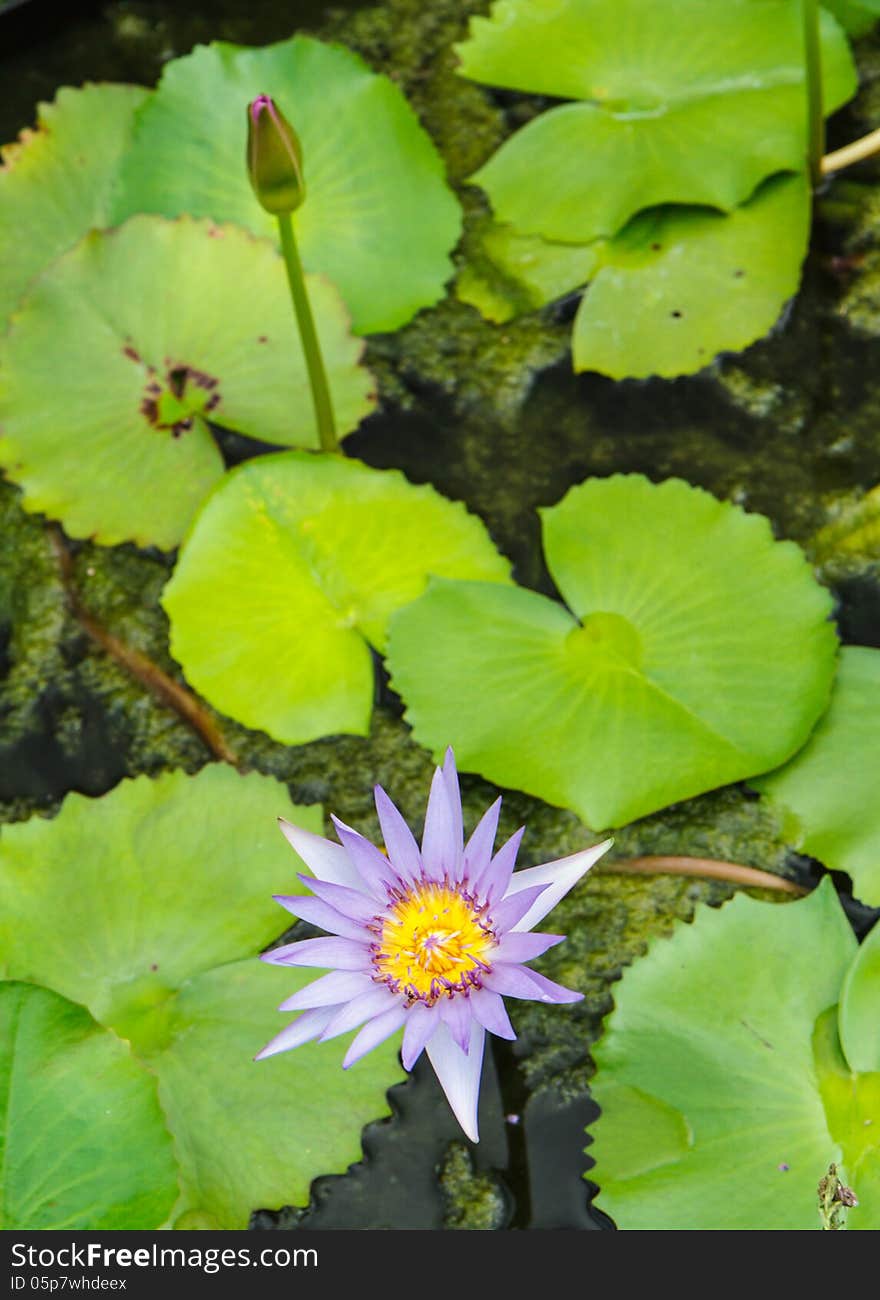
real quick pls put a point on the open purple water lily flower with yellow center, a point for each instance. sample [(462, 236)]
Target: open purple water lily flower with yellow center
[(428, 941)]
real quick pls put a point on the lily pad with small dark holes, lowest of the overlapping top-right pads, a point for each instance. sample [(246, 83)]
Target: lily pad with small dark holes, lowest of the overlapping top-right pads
[(706, 283)]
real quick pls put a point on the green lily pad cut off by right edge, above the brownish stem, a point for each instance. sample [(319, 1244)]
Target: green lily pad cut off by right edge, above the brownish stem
[(831, 787)]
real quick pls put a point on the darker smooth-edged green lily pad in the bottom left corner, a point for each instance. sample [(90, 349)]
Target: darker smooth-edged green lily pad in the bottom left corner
[(75, 1108)]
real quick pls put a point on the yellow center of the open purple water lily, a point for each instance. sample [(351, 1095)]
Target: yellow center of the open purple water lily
[(434, 942)]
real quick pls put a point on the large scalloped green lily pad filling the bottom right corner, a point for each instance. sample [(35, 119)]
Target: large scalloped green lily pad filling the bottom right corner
[(725, 1064)]
